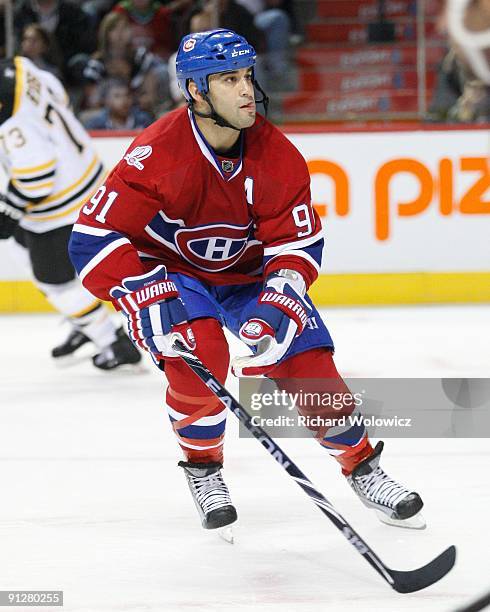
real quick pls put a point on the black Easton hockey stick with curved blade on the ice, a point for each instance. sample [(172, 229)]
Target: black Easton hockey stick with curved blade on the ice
[(401, 581)]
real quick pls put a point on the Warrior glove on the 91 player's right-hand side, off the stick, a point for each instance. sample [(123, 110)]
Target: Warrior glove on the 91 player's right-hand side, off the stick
[(280, 315)]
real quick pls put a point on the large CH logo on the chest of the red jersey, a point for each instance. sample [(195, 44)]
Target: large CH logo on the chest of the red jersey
[(213, 247)]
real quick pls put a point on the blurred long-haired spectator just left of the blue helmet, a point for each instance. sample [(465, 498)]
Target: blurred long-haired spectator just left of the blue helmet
[(116, 56)]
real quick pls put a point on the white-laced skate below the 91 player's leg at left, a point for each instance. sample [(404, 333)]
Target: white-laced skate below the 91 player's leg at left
[(211, 496)]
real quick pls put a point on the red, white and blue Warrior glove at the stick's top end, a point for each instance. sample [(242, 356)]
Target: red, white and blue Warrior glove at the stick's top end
[(154, 311)]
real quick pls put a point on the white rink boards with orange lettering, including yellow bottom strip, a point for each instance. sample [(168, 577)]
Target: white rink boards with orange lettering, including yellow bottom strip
[(406, 215)]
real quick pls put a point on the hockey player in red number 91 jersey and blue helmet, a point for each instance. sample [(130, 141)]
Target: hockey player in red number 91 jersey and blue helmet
[(207, 222)]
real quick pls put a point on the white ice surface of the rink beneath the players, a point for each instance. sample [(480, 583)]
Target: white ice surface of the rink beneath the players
[(92, 501)]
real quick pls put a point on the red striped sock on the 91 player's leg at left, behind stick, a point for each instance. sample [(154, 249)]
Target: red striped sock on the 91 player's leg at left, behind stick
[(198, 417)]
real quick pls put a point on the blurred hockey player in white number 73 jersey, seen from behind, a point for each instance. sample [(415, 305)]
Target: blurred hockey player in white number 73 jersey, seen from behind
[(52, 169)]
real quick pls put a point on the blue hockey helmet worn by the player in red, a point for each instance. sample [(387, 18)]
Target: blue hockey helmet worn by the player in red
[(203, 53)]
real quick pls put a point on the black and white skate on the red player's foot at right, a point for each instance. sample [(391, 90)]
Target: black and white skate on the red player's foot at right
[(395, 505)]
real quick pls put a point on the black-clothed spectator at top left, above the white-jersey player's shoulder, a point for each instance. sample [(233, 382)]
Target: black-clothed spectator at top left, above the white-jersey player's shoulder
[(64, 20)]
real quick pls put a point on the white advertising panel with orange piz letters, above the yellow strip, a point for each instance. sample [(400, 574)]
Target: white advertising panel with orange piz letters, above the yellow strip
[(408, 201)]
